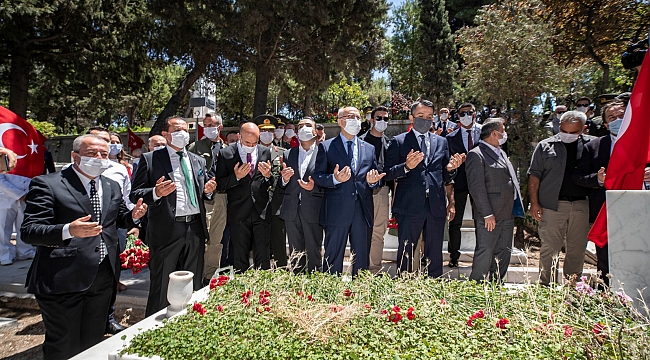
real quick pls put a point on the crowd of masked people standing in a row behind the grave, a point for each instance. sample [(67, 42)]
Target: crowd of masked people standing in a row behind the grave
[(237, 198)]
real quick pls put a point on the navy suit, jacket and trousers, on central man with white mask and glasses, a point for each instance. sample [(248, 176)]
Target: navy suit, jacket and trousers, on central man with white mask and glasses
[(347, 208)]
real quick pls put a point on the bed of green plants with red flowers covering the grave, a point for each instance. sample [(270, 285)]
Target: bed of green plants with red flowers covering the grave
[(346, 320)]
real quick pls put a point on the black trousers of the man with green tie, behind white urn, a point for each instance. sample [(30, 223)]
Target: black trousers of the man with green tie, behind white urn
[(184, 251)]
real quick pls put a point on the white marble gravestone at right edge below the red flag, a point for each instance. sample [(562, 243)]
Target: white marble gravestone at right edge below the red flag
[(628, 226)]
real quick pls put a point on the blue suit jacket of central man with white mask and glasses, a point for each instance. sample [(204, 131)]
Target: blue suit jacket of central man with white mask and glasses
[(338, 200)]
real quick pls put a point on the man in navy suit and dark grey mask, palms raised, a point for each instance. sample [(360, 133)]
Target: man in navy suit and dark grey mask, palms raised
[(420, 162)]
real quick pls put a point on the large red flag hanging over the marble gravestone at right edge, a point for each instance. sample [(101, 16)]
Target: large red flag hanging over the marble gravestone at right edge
[(631, 150)]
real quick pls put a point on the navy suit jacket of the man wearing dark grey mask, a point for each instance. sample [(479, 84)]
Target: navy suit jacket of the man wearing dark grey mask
[(410, 193)]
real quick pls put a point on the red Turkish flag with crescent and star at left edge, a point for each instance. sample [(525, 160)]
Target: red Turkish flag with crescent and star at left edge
[(20, 136)]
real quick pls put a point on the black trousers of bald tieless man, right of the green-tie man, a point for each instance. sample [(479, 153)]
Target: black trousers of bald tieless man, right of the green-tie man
[(251, 234)]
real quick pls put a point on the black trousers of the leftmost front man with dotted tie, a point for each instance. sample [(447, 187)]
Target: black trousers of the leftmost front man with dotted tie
[(76, 321)]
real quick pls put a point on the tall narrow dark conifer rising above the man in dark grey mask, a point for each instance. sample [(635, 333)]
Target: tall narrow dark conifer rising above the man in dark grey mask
[(438, 51)]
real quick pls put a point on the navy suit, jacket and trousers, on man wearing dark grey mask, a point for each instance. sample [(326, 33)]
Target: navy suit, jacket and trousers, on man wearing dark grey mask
[(414, 209)]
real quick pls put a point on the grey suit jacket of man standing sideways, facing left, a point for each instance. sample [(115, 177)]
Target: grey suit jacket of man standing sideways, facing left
[(490, 183)]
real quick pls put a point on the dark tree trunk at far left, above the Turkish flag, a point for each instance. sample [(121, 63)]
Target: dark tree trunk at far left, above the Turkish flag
[(19, 81)]
